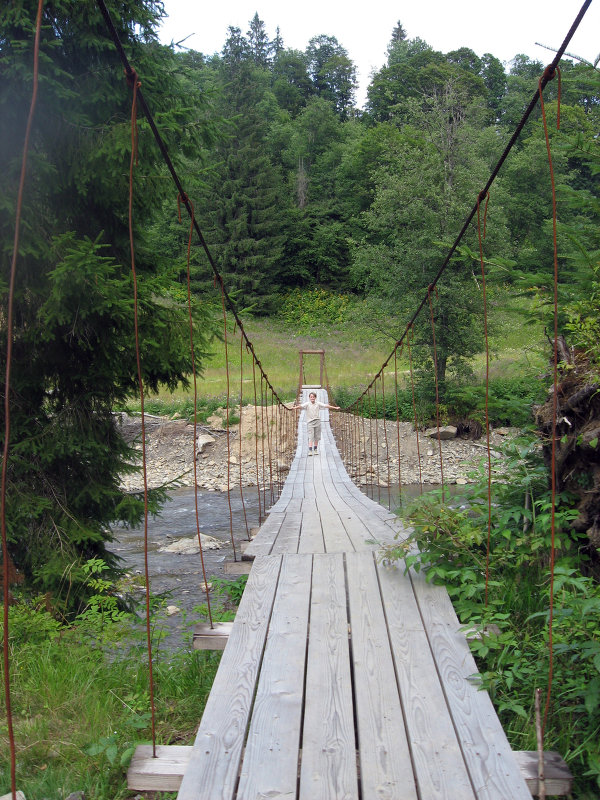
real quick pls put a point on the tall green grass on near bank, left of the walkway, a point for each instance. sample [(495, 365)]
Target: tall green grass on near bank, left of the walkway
[(80, 700)]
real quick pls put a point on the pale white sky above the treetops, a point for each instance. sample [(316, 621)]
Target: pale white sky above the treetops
[(364, 28)]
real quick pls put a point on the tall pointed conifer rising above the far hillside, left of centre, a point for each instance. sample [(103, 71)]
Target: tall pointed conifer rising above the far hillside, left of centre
[(244, 201)]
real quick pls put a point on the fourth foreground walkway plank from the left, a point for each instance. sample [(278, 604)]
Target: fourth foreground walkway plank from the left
[(385, 760)]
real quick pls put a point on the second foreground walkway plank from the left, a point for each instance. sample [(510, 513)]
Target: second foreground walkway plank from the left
[(270, 765)]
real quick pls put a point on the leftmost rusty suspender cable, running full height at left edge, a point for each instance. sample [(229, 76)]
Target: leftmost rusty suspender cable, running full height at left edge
[(7, 408)]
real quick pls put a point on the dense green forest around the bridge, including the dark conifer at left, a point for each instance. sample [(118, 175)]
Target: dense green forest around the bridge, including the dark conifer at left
[(297, 192)]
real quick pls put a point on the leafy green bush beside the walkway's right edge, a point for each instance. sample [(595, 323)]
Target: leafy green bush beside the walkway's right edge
[(513, 653)]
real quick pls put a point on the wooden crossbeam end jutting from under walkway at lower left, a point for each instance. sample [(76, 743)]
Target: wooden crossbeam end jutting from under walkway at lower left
[(161, 774)]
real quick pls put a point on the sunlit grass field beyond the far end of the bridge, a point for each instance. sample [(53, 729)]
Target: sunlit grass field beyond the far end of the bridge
[(355, 349)]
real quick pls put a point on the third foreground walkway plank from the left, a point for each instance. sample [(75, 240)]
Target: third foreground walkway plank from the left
[(328, 767)]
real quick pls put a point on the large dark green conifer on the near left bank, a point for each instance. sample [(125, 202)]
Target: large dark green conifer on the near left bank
[(73, 342)]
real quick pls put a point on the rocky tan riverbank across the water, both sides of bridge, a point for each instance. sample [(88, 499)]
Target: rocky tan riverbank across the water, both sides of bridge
[(170, 452)]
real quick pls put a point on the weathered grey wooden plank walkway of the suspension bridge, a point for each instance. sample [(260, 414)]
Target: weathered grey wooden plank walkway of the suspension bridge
[(342, 678)]
